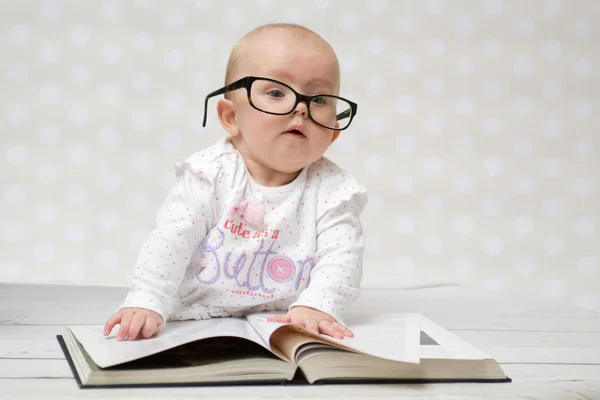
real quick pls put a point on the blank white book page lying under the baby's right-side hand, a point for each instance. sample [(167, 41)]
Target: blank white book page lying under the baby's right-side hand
[(389, 336)]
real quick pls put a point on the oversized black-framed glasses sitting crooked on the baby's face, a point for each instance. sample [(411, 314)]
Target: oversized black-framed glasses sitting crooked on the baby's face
[(277, 98)]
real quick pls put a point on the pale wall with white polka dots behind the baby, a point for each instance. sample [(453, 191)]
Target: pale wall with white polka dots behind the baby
[(477, 132)]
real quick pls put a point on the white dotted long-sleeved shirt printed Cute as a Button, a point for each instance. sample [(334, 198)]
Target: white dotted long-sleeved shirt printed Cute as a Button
[(204, 259)]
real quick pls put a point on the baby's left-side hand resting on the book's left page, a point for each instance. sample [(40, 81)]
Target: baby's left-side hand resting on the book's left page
[(134, 321)]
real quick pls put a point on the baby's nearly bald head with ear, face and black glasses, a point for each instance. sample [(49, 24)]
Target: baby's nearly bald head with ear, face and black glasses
[(269, 125)]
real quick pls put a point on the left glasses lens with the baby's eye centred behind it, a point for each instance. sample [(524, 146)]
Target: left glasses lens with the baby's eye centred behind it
[(272, 97)]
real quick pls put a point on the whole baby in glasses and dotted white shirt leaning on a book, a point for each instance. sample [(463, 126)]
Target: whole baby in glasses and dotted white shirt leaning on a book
[(260, 220)]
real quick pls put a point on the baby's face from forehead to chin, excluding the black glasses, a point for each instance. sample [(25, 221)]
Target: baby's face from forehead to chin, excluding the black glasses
[(309, 68)]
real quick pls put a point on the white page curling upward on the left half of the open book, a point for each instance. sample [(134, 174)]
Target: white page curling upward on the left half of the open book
[(107, 351)]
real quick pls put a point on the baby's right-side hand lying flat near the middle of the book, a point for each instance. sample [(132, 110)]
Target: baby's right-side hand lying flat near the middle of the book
[(315, 321)]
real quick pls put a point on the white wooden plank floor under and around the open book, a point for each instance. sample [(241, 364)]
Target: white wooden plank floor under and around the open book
[(550, 350)]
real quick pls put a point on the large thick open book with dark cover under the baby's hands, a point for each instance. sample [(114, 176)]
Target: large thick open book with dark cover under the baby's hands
[(386, 347)]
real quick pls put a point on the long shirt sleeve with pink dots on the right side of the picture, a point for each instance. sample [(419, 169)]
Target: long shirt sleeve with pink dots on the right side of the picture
[(335, 278)]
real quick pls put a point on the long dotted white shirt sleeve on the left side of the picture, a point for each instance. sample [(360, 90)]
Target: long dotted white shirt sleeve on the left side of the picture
[(181, 224)]
